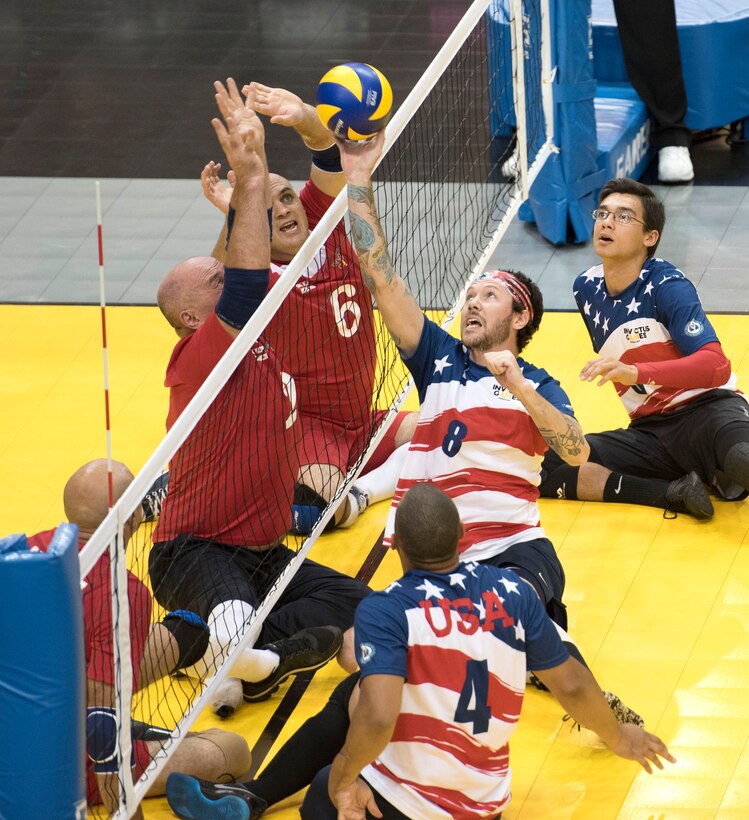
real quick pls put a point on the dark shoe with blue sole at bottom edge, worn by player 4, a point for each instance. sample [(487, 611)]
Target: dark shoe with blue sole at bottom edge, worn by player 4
[(193, 799)]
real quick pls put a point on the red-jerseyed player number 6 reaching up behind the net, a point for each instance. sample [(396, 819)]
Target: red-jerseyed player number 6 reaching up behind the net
[(324, 330)]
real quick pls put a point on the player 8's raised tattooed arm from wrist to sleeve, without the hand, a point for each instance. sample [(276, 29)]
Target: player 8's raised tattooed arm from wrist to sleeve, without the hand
[(400, 311)]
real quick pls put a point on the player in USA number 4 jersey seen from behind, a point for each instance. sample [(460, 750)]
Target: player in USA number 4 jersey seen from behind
[(443, 661)]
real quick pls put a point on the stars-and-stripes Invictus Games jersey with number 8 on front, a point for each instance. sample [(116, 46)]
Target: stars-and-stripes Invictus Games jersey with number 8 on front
[(476, 442)]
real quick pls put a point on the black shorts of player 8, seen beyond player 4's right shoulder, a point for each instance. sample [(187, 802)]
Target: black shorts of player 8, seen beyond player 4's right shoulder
[(537, 562)]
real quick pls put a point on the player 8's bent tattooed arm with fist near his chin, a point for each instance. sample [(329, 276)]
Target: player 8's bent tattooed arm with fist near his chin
[(561, 432)]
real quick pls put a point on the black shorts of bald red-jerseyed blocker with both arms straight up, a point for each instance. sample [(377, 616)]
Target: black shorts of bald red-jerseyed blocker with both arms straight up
[(195, 574)]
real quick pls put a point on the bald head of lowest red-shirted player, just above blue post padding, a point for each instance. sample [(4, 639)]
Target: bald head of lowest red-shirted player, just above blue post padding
[(86, 495)]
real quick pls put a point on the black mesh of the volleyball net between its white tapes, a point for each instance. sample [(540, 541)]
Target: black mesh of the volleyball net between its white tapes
[(308, 392)]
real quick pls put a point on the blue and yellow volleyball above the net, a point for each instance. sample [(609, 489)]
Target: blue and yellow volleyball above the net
[(354, 101)]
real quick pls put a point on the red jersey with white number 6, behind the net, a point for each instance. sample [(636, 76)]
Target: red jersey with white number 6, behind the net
[(324, 330)]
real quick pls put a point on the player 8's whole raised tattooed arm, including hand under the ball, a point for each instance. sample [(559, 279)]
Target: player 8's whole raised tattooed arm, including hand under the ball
[(400, 311)]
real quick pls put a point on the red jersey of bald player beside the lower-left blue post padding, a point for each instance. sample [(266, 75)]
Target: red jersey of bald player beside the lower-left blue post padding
[(97, 615)]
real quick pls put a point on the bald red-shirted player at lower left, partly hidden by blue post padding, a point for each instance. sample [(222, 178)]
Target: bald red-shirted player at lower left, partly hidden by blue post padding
[(156, 649)]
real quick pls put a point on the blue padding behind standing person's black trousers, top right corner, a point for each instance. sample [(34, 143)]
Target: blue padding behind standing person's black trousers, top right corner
[(714, 46)]
